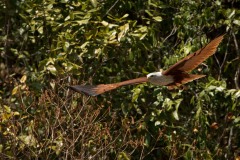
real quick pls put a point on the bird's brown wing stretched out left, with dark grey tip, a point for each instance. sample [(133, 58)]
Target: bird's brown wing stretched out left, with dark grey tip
[(94, 90)]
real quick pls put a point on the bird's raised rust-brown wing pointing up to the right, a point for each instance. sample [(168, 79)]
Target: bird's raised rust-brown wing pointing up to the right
[(193, 60)]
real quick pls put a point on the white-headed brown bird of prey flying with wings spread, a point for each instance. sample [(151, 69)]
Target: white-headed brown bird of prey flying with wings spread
[(177, 75)]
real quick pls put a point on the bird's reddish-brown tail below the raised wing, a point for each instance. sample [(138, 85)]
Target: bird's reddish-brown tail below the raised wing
[(183, 78)]
